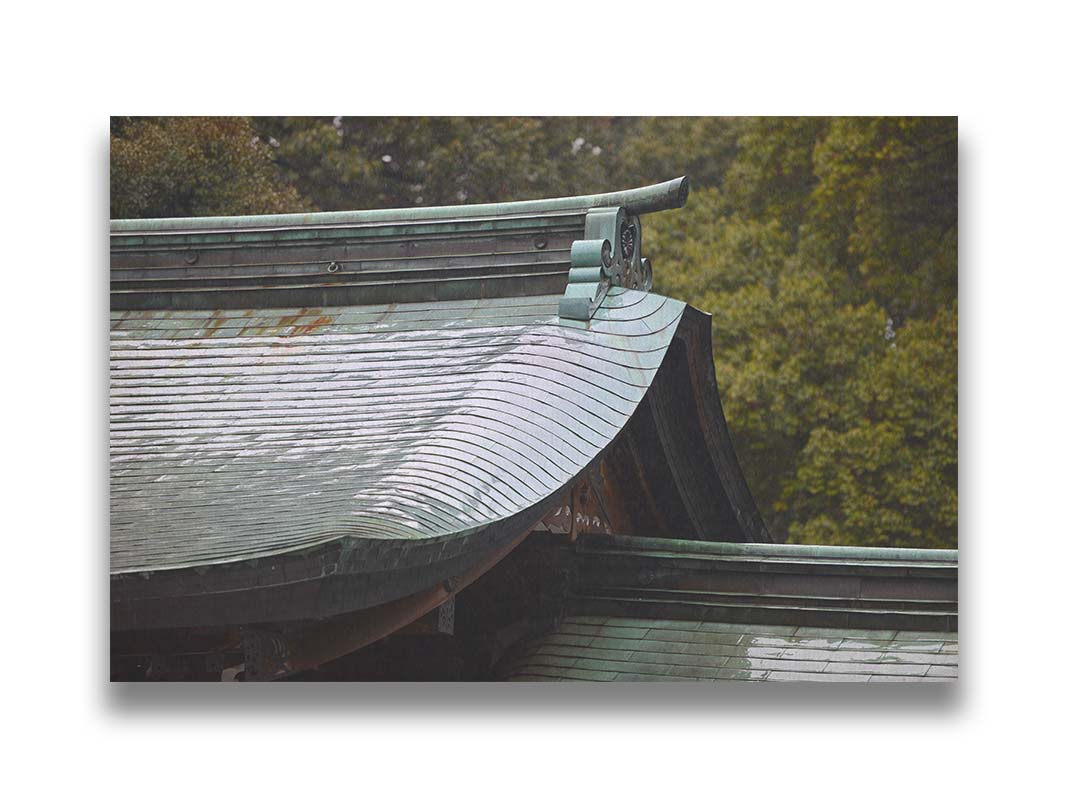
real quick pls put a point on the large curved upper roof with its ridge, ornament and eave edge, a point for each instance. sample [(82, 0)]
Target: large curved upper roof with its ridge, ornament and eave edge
[(388, 396)]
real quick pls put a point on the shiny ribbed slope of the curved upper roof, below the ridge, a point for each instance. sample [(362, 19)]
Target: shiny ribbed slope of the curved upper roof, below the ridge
[(240, 435)]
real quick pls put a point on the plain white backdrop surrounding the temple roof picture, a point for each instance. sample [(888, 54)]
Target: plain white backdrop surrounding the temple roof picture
[(67, 70)]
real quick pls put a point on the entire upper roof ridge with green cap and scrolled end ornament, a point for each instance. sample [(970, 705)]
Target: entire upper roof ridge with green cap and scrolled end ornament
[(575, 247)]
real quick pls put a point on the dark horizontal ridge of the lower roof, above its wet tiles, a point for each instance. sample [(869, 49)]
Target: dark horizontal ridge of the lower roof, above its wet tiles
[(863, 588)]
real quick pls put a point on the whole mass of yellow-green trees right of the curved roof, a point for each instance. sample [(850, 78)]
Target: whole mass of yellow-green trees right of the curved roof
[(829, 261)]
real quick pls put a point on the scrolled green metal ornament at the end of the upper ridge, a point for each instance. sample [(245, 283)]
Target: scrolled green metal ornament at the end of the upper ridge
[(609, 255)]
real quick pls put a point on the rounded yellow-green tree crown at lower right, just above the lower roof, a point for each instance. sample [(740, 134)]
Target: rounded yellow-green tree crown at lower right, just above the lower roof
[(885, 471)]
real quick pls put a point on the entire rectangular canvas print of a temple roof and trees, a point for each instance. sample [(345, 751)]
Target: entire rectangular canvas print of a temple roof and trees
[(524, 399)]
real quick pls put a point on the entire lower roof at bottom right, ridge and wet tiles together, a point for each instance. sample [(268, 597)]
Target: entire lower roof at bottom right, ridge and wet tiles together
[(656, 610)]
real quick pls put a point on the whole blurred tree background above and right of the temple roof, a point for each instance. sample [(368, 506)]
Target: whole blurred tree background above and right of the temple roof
[(826, 249)]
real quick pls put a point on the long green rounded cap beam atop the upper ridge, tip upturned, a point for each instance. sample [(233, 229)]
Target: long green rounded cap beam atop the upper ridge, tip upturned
[(645, 200)]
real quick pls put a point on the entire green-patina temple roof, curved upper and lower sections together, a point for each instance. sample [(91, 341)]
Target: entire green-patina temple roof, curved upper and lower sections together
[(313, 414)]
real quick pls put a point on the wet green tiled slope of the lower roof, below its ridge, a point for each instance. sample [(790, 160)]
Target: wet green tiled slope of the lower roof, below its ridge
[(629, 649)]
